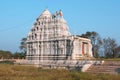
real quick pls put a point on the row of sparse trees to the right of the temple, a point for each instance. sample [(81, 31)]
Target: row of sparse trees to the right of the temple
[(103, 47)]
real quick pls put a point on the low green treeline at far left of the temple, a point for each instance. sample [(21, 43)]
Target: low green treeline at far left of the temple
[(10, 55)]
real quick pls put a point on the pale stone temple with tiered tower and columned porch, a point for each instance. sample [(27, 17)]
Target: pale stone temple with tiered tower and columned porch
[(49, 41)]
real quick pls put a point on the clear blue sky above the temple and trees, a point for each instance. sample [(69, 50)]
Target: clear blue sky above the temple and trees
[(18, 16)]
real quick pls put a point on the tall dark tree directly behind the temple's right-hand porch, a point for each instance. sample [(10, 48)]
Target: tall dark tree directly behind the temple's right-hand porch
[(95, 40)]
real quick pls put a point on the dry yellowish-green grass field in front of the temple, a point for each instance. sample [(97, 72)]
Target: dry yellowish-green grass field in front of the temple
[(17, 72)]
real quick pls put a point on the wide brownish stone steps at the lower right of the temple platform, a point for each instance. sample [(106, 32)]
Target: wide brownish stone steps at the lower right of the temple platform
[(106, 67)]
